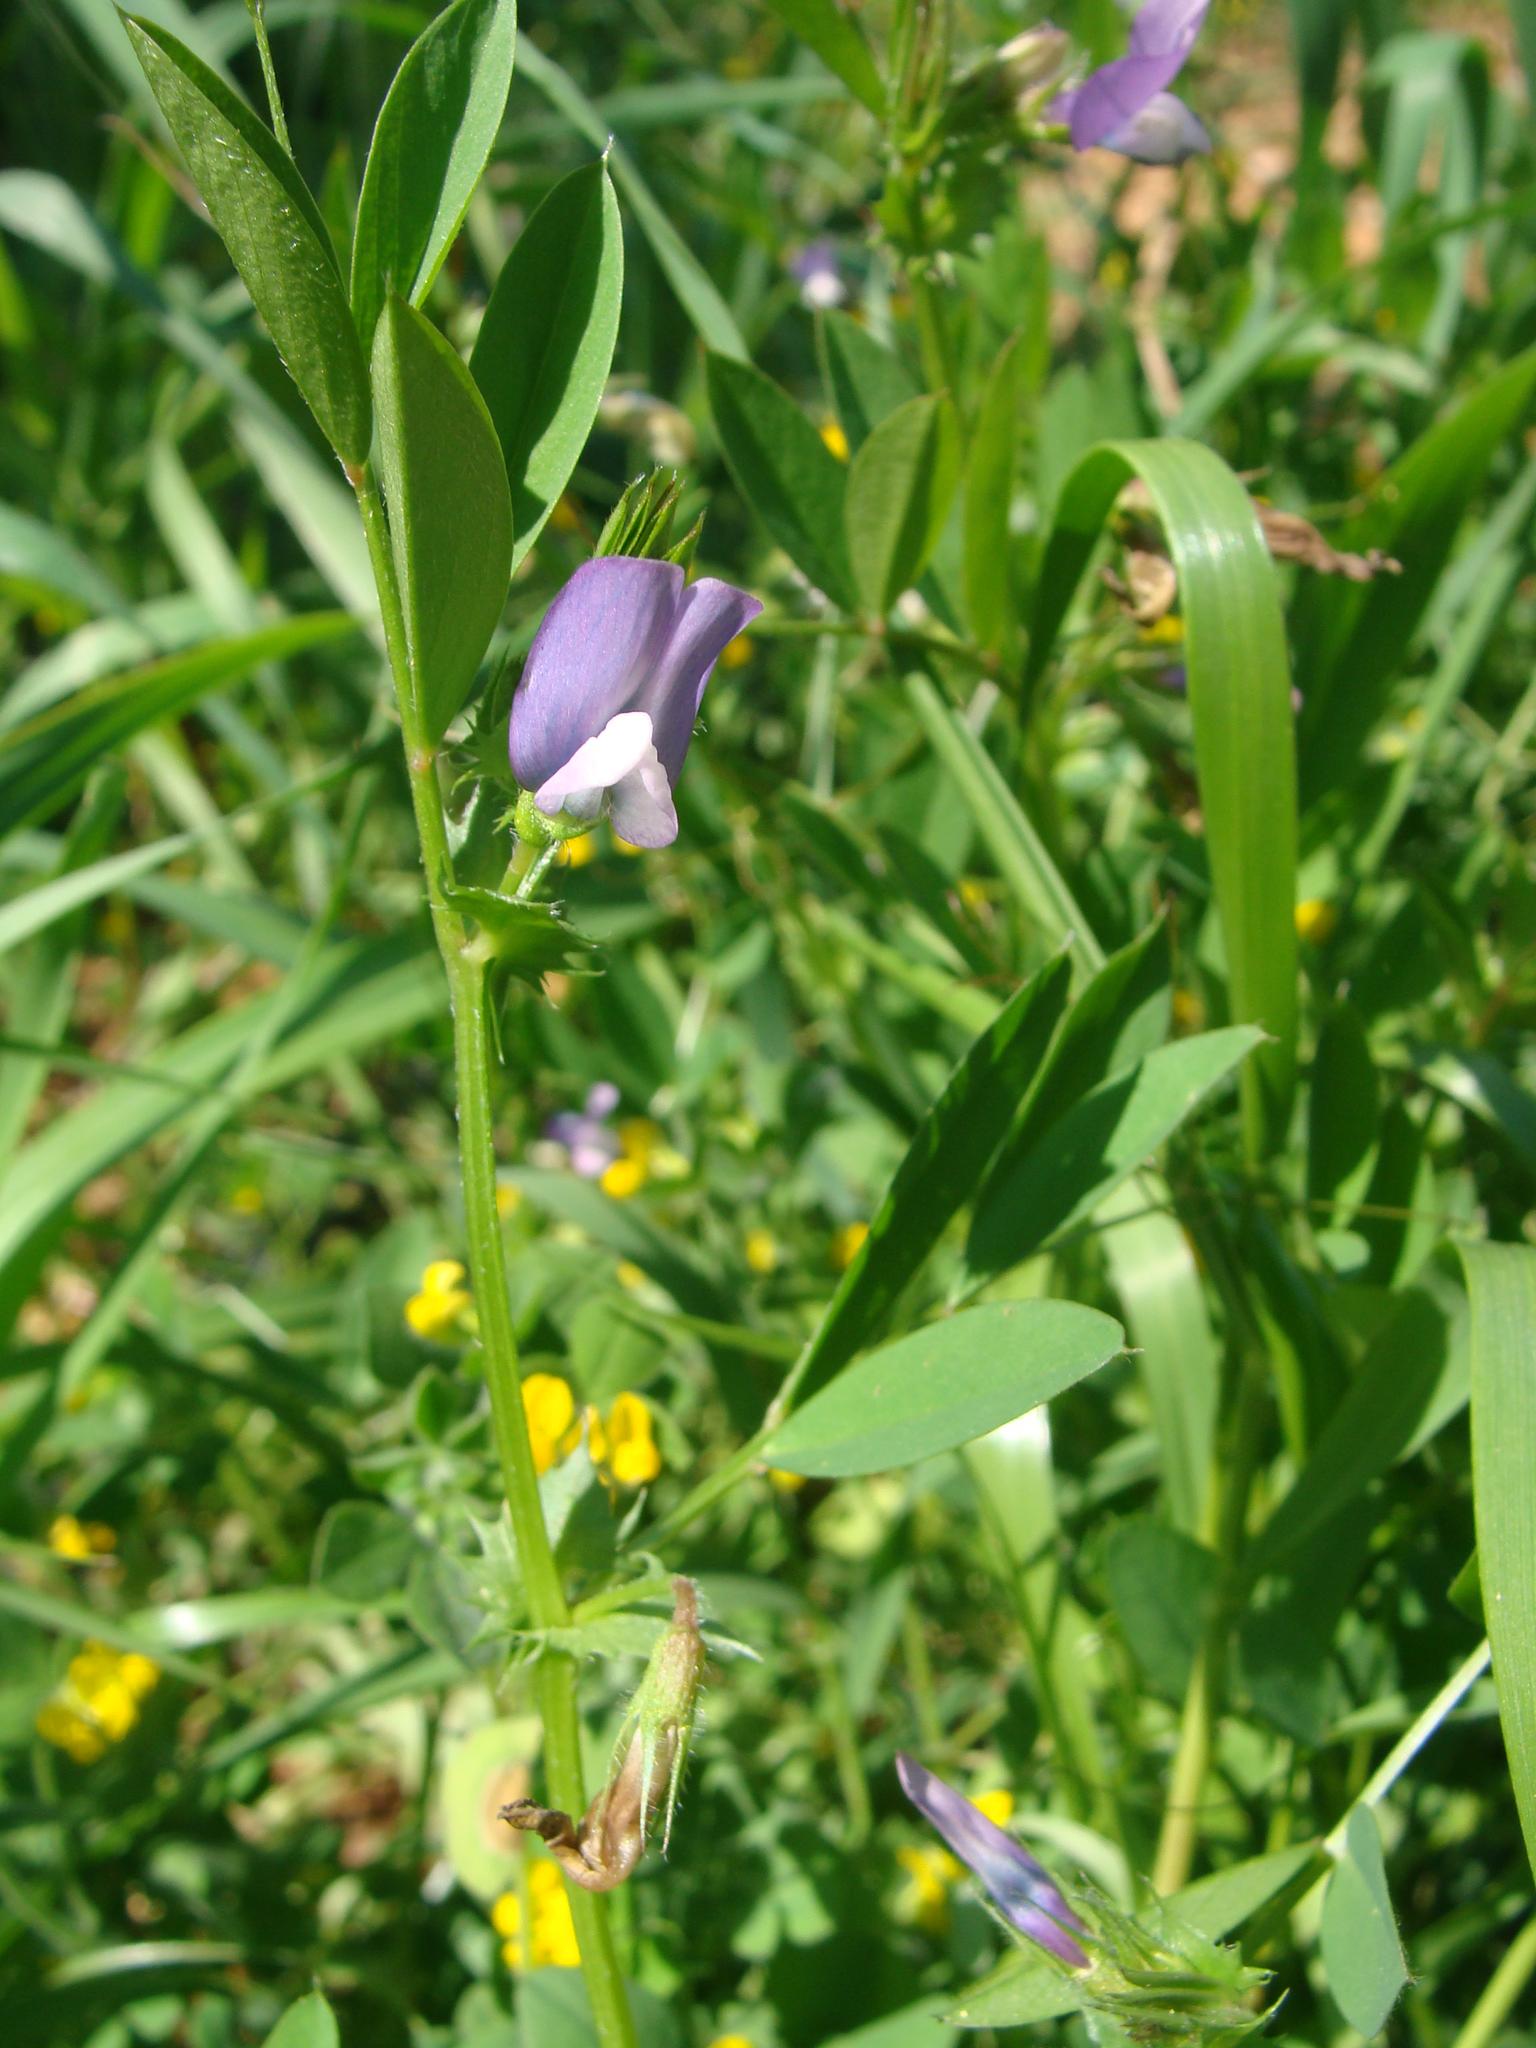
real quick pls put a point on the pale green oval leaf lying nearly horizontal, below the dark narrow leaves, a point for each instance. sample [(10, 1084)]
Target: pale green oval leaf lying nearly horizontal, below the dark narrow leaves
[(943, 1385)]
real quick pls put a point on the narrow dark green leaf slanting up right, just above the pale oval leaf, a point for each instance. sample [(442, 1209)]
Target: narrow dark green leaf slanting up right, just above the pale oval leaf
[(937, 1177)]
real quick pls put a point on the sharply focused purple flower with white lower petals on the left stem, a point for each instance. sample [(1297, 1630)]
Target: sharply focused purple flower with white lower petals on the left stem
[(611, 691)]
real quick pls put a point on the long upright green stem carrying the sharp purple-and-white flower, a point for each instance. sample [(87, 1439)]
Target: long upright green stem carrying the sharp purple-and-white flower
[(474, 1058)]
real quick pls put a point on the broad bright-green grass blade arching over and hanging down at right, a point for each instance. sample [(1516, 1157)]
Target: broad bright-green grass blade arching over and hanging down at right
[(1240, 699)]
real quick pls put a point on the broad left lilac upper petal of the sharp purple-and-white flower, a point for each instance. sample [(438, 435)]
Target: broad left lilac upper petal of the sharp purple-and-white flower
[(597, 646)]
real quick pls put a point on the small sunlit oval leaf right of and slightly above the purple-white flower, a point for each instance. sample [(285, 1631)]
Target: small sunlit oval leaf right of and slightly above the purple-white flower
[(900, 490)]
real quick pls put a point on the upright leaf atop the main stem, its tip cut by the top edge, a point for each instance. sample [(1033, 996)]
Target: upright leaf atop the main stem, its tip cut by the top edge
[(429, 151)]
